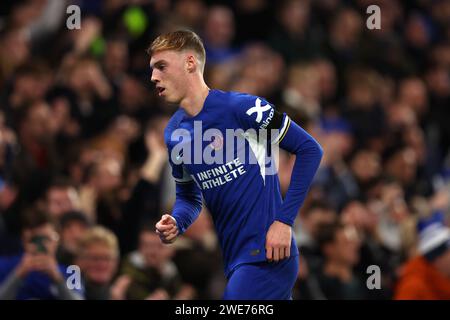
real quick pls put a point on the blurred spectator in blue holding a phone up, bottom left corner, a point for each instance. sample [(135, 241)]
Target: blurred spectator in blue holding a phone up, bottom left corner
[(35, 274)]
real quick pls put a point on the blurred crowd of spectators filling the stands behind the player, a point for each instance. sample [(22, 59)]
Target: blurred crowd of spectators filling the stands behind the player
[(82, 154)]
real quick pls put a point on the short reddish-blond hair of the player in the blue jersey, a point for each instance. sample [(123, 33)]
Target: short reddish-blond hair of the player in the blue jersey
[(178, 41)]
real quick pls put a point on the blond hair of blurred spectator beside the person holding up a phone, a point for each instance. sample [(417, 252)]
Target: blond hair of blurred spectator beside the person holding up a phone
[(99, 235)]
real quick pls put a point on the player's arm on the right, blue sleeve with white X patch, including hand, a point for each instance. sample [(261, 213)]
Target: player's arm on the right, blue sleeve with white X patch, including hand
[(256, 113)]
